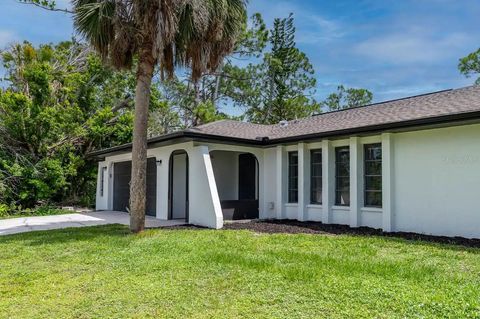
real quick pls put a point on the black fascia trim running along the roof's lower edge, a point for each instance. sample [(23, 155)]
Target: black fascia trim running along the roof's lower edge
[(265, 142)]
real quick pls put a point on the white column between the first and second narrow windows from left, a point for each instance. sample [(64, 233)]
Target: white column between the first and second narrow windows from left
[(303, 181)]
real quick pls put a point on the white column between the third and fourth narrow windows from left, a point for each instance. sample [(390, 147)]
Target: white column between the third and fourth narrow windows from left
[(355, 178)]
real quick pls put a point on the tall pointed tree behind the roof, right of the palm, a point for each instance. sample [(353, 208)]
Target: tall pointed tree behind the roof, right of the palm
[(282, 86)]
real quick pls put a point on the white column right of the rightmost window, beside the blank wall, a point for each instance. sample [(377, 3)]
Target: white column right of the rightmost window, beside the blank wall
[(387, 185)]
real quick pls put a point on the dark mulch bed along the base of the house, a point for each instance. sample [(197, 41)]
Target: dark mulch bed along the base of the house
[(297, 227)]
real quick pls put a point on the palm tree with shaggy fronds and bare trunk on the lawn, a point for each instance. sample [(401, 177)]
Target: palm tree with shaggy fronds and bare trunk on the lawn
[(165, 33)]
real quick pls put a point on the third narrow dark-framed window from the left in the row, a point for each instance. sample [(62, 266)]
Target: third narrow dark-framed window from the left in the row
[(342, 176)]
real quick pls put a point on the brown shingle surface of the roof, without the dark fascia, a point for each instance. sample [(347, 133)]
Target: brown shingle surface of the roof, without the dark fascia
[(433, 105)]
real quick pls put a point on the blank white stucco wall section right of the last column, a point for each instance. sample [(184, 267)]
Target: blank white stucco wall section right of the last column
[(436, 182)]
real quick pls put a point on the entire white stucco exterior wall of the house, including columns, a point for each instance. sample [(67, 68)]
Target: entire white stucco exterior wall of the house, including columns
[(430, 182)]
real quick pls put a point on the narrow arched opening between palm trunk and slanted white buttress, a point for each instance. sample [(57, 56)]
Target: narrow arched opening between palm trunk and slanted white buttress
[(178, 186)]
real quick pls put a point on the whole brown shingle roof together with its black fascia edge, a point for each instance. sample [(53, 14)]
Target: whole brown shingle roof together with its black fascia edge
[(439, 107)]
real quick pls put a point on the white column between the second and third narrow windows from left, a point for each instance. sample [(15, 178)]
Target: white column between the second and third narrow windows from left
[(328, 180)]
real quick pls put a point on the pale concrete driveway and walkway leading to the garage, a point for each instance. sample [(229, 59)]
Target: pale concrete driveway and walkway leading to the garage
[(27, 224)]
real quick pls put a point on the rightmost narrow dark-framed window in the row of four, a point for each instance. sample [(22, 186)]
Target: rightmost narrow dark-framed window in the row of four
[(373, 175)]
